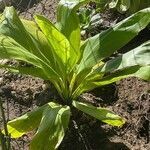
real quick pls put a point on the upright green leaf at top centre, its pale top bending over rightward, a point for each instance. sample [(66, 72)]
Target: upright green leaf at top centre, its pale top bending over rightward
[(69, 22)]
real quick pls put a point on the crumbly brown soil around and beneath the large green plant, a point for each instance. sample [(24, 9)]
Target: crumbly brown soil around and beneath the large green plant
[(130, 98)]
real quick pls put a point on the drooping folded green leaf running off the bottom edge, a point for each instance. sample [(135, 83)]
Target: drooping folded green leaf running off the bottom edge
[(52, 128)]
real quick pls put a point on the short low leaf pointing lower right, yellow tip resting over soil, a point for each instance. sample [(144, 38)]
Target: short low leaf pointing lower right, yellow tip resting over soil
[(102, 114)]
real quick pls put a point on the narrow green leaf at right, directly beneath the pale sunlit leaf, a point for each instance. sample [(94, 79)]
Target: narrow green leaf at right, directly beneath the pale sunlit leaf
[(135, 71)]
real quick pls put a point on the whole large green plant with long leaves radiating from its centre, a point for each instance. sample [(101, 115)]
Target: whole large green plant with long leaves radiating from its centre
[(56, 53)]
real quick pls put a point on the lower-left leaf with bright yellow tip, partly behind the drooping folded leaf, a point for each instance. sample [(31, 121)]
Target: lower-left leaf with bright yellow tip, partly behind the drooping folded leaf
[(25, 123)]
